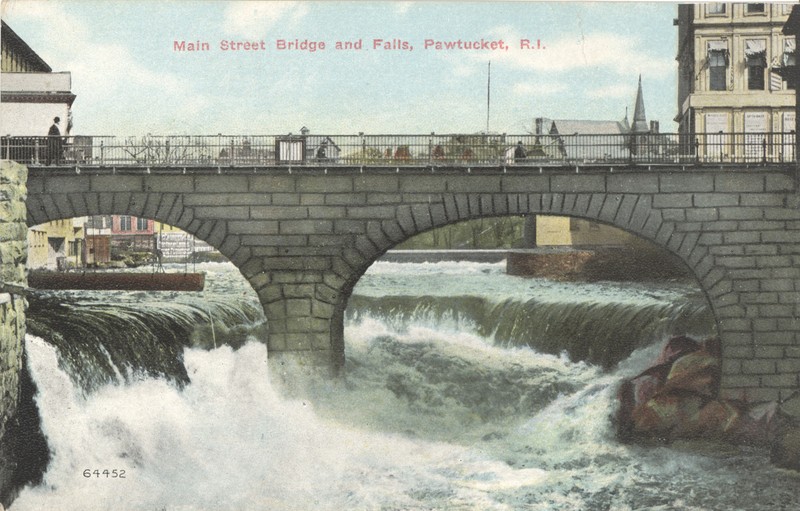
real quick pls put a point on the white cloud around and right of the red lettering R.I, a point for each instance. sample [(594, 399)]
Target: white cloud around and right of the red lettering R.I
[(598, 50)]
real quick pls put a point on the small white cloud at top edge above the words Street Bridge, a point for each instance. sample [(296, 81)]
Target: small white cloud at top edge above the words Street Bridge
[(254, 19)]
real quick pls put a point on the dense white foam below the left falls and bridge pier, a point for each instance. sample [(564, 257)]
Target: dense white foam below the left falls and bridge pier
[(226, 441)]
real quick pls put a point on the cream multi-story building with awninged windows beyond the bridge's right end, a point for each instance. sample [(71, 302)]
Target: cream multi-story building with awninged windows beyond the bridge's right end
[(730, 91)]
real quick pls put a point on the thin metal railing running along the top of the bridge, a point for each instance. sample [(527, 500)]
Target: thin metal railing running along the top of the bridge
[(401, 150)]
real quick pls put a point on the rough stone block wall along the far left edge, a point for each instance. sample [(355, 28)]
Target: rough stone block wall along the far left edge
[(13, 239)]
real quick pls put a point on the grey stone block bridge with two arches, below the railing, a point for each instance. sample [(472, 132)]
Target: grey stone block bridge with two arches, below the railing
[(303, 237)]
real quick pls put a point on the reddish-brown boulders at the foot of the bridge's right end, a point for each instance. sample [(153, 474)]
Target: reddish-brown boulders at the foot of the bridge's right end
[(678, 398)]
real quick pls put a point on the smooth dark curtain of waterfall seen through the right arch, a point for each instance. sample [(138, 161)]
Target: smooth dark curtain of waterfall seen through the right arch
[(591, 331)]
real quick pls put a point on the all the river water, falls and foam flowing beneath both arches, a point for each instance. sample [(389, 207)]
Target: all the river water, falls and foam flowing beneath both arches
[(465, 389)]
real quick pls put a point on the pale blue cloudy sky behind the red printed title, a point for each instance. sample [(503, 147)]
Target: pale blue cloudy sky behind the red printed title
[(129, 80)]
